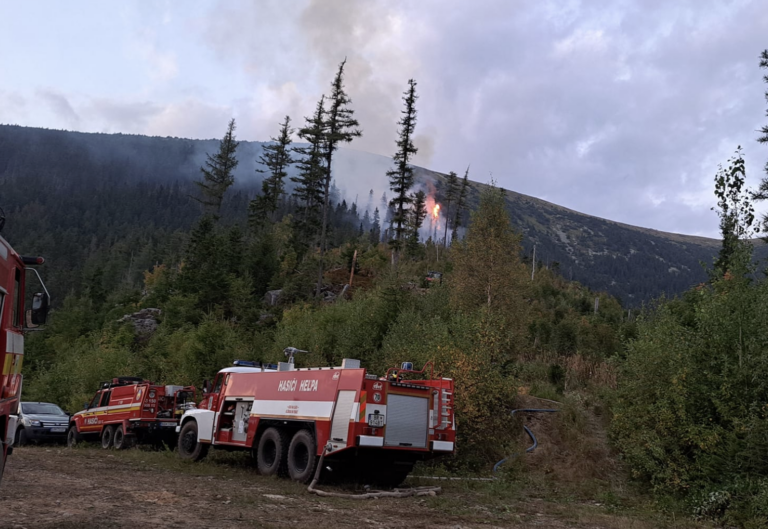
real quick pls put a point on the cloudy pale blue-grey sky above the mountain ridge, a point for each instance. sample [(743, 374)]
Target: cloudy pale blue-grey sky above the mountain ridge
[(620, 109)]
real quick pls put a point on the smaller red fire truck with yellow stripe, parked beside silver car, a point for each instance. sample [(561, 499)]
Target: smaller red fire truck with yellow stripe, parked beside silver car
[(127, 410)]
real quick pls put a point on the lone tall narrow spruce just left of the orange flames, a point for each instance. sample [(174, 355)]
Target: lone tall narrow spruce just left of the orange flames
[(401, 177)]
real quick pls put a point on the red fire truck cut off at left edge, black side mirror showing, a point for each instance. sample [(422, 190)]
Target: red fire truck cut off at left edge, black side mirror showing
[(14, 321)]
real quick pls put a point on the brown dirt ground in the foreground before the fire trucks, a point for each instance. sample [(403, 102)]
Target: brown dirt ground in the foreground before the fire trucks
[(56, 487)]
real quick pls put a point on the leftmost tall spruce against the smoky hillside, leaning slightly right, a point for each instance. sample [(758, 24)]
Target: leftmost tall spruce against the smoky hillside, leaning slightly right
[(218, 173)]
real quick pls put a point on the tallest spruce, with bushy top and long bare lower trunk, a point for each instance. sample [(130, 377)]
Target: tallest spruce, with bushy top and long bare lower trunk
[(340, 126)]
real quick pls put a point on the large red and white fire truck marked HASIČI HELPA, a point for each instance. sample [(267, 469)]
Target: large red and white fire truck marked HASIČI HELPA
[(287, 417)]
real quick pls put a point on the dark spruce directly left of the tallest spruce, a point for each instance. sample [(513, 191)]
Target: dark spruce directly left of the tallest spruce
[(311, 178)]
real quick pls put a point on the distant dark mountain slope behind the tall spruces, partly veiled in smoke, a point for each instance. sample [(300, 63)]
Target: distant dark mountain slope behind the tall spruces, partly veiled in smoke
[(129, 197)]
